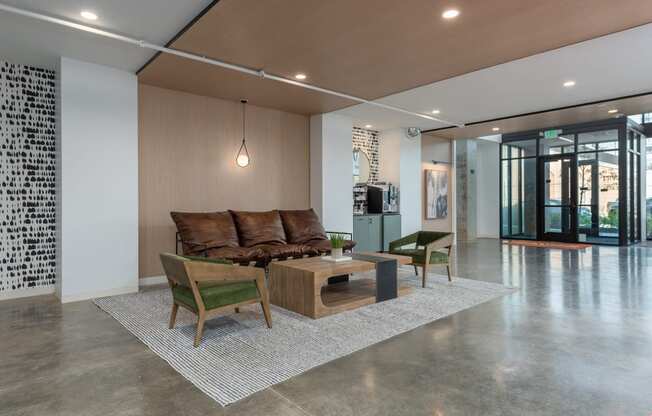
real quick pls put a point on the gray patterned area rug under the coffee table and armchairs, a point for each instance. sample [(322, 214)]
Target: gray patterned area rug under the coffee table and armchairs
[(240, 356)]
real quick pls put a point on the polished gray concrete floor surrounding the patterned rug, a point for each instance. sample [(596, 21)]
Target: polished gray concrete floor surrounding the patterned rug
[(575, 340)]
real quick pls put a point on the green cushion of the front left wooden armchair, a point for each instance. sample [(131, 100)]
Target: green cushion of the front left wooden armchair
[(216, 294)]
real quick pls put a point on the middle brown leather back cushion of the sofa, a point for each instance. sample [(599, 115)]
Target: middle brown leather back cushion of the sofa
[(259, 227)]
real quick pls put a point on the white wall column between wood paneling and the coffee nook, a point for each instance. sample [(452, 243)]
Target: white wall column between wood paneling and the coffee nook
[(331, 170)]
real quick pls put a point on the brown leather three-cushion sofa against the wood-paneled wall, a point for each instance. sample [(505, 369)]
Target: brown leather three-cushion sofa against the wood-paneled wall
[(244, 237)]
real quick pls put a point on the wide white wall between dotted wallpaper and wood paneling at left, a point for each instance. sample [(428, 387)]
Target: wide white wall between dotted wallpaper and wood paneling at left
[(99, 181)]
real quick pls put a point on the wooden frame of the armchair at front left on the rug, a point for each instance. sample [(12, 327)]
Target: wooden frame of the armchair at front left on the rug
[(191, 273)]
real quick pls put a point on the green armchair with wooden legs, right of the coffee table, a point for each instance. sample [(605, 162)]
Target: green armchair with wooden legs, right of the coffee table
[(422, 245)]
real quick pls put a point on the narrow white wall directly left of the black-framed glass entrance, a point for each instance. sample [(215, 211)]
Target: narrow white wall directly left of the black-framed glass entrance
[(487, 192)]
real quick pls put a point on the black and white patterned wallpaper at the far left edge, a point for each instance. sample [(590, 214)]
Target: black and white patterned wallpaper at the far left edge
[(27, 177)]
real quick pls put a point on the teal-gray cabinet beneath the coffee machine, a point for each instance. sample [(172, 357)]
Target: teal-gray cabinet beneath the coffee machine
[(374, 232)]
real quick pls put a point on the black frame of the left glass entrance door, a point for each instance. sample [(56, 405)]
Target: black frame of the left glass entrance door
[(572, 235)]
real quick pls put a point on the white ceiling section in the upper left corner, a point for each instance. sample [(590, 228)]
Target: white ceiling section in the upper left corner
[(31, 42)]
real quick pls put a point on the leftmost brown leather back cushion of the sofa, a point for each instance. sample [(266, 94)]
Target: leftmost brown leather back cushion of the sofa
[(206, 229)]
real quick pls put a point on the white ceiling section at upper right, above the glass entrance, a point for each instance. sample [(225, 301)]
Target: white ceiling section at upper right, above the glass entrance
[(612, 66)]
